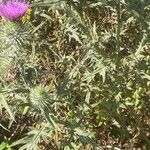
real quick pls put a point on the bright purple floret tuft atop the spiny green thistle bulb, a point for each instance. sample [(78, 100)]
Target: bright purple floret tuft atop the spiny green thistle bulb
[(13, 9)]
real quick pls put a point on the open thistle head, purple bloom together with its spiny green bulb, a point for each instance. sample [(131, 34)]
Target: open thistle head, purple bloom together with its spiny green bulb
[(13, 31)]
